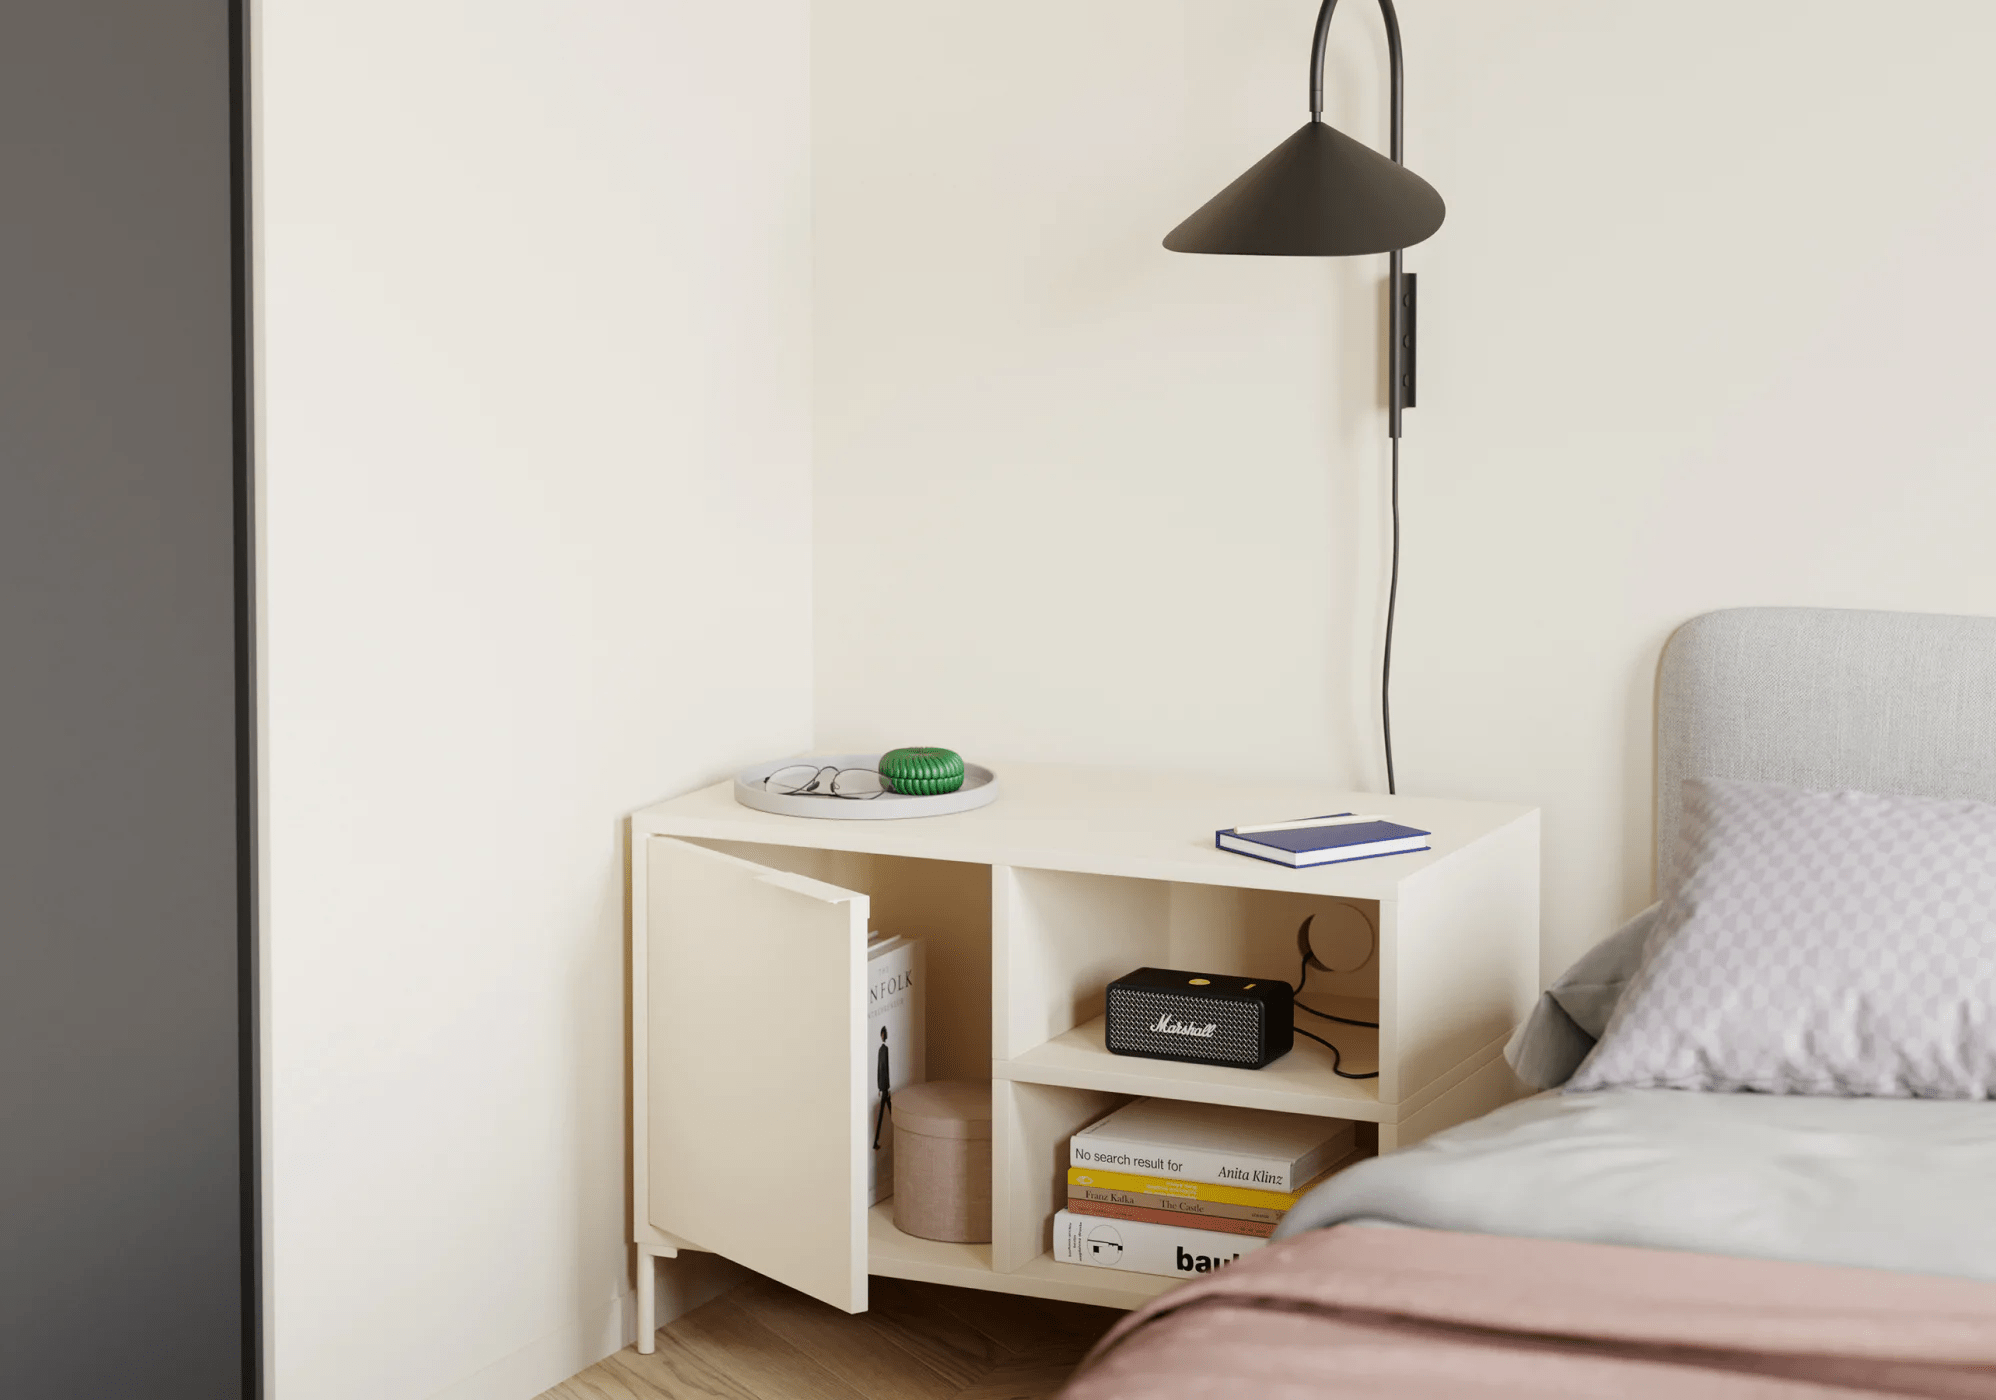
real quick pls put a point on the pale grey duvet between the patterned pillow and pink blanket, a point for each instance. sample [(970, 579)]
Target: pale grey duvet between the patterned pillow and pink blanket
[(1873, 1183)]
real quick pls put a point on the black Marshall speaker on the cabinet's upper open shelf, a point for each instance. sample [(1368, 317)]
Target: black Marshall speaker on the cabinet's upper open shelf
[(1201, 1018)]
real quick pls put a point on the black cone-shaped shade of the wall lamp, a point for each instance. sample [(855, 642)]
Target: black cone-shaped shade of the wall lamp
[(1320, 195)]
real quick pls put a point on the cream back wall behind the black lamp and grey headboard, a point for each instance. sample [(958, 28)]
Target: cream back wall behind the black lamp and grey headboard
[(1708, 327)]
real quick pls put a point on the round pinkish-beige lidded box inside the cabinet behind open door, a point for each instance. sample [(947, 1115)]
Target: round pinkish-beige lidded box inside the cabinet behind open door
[(943, 1161)]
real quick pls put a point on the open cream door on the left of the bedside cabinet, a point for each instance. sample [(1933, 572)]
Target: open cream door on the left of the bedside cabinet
[(755, 1089)]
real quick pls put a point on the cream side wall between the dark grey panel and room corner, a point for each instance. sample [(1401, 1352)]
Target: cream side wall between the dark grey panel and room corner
[(536, 297)]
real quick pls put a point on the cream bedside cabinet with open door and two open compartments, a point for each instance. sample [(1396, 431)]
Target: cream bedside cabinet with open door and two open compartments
[(749, 1000)]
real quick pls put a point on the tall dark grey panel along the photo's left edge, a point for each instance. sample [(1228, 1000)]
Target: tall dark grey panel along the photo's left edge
[(123, 1239)]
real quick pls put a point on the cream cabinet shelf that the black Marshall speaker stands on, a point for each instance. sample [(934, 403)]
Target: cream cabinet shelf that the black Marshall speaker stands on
[(1300, 1081)]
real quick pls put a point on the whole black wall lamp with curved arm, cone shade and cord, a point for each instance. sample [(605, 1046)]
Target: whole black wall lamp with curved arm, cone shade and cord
[(1322, 195)]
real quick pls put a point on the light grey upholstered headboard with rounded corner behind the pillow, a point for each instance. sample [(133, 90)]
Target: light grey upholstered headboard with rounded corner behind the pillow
[(1823, 698)]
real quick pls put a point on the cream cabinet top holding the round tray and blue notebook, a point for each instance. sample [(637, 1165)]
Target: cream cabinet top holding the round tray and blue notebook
[(1113, 822)]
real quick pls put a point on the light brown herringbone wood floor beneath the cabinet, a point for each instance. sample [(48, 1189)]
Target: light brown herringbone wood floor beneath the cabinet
[(763, 1341)]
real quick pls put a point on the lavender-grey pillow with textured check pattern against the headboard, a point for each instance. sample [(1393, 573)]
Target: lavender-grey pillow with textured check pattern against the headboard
[(1817, 944)]
